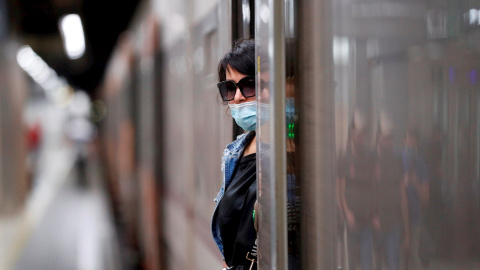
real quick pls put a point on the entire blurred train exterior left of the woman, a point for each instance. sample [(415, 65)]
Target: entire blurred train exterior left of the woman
[(165, 124)]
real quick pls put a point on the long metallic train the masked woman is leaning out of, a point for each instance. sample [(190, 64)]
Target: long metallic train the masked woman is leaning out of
[(369, 159)]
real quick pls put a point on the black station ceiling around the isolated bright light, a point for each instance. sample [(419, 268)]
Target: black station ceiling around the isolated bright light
[(35, 22)]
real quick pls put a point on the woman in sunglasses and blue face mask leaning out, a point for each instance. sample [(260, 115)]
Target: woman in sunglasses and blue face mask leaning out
[(233, 219)]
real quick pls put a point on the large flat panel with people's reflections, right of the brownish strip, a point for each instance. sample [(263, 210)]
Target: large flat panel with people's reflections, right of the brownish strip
[(407, 133)]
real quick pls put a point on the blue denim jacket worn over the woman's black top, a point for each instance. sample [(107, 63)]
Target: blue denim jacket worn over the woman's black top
[(230, 158)]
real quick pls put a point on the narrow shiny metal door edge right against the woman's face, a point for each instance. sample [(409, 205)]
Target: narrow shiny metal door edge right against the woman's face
[(271, 135)]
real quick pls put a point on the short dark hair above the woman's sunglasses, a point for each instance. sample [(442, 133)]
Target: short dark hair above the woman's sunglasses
[(241, 58)]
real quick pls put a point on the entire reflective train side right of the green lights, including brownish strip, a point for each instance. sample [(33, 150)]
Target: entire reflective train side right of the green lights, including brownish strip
[(388, 134)]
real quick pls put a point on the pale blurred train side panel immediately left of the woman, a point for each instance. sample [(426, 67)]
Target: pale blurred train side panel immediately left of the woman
[(194, 128)]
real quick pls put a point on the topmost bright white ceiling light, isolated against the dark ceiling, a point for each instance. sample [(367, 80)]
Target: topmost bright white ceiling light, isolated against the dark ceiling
[(73, 37)]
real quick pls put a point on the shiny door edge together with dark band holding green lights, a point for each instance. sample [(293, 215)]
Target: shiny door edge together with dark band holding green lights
[(278, 190)]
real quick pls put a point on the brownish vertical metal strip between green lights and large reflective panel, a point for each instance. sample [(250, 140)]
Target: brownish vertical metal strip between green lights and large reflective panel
[(316, 135)]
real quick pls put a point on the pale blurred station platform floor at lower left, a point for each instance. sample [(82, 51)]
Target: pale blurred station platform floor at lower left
[(64, 225)]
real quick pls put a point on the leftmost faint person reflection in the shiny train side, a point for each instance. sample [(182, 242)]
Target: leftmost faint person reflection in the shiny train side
[(356, 195)]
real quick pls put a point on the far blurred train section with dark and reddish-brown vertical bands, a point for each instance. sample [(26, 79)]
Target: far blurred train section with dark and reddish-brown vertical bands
[(130, 153)]
